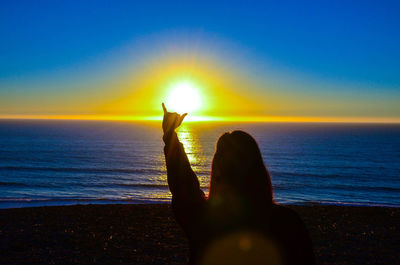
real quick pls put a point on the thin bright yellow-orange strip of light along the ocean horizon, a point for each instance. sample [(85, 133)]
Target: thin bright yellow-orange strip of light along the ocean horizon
[(261, 119)]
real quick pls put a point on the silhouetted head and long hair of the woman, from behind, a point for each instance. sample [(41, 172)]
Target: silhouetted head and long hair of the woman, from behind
[(238, 170)]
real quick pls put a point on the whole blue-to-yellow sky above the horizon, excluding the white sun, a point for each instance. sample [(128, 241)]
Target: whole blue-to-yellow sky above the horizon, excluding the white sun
[(288, 59)]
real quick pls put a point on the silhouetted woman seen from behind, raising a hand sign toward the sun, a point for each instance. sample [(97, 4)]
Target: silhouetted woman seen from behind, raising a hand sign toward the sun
[(238, 223)]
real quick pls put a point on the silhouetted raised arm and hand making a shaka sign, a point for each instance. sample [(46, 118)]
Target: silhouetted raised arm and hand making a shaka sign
[(182, 181)]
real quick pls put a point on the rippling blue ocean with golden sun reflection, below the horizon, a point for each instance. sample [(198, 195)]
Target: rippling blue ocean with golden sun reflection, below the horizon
[(49, 162)]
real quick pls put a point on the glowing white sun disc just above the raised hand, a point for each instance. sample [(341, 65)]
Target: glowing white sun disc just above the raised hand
[(183, 97)]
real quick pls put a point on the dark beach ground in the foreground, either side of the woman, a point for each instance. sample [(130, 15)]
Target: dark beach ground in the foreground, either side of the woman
[(148, 234)]
